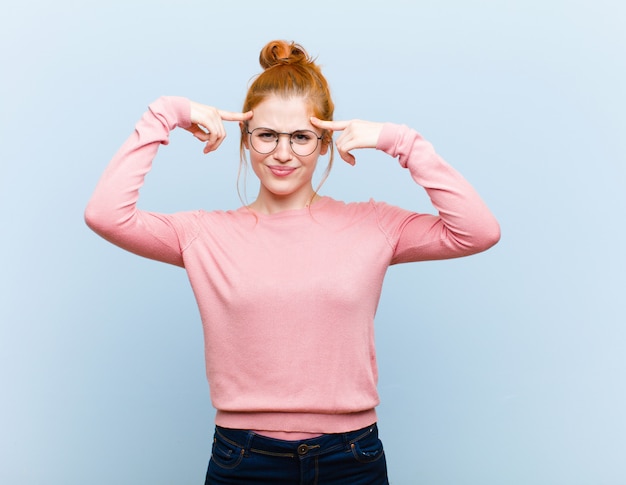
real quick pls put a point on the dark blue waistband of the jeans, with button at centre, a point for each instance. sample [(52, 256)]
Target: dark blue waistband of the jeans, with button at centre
[(252, 442)]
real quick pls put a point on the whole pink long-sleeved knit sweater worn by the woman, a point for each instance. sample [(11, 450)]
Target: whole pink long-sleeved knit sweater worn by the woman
[(288, 300)]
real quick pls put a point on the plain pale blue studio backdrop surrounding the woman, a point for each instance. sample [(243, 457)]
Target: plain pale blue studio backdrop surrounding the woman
[(505, 367)]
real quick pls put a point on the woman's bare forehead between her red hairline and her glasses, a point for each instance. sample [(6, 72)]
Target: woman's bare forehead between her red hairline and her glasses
[(282, 114)]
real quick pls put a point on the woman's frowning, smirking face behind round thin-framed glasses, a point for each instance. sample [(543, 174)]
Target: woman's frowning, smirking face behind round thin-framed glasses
[(283, 174)]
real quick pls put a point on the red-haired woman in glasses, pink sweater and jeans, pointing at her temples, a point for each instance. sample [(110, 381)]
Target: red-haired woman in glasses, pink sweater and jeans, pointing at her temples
[(288, 285)]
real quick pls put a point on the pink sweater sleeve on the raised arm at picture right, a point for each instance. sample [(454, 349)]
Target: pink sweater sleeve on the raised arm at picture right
[(464, 224)]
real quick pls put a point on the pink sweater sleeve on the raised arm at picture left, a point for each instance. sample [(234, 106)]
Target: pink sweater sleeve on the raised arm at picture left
[(112, 210)]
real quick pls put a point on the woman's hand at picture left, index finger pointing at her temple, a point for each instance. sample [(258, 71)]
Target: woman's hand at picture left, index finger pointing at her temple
[(207, 124)]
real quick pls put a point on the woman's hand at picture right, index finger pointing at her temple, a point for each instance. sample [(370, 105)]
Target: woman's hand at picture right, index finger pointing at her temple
[(356, 134)]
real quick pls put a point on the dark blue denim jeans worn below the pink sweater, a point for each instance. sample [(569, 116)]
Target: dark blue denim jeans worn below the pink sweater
[(244, 457)]
